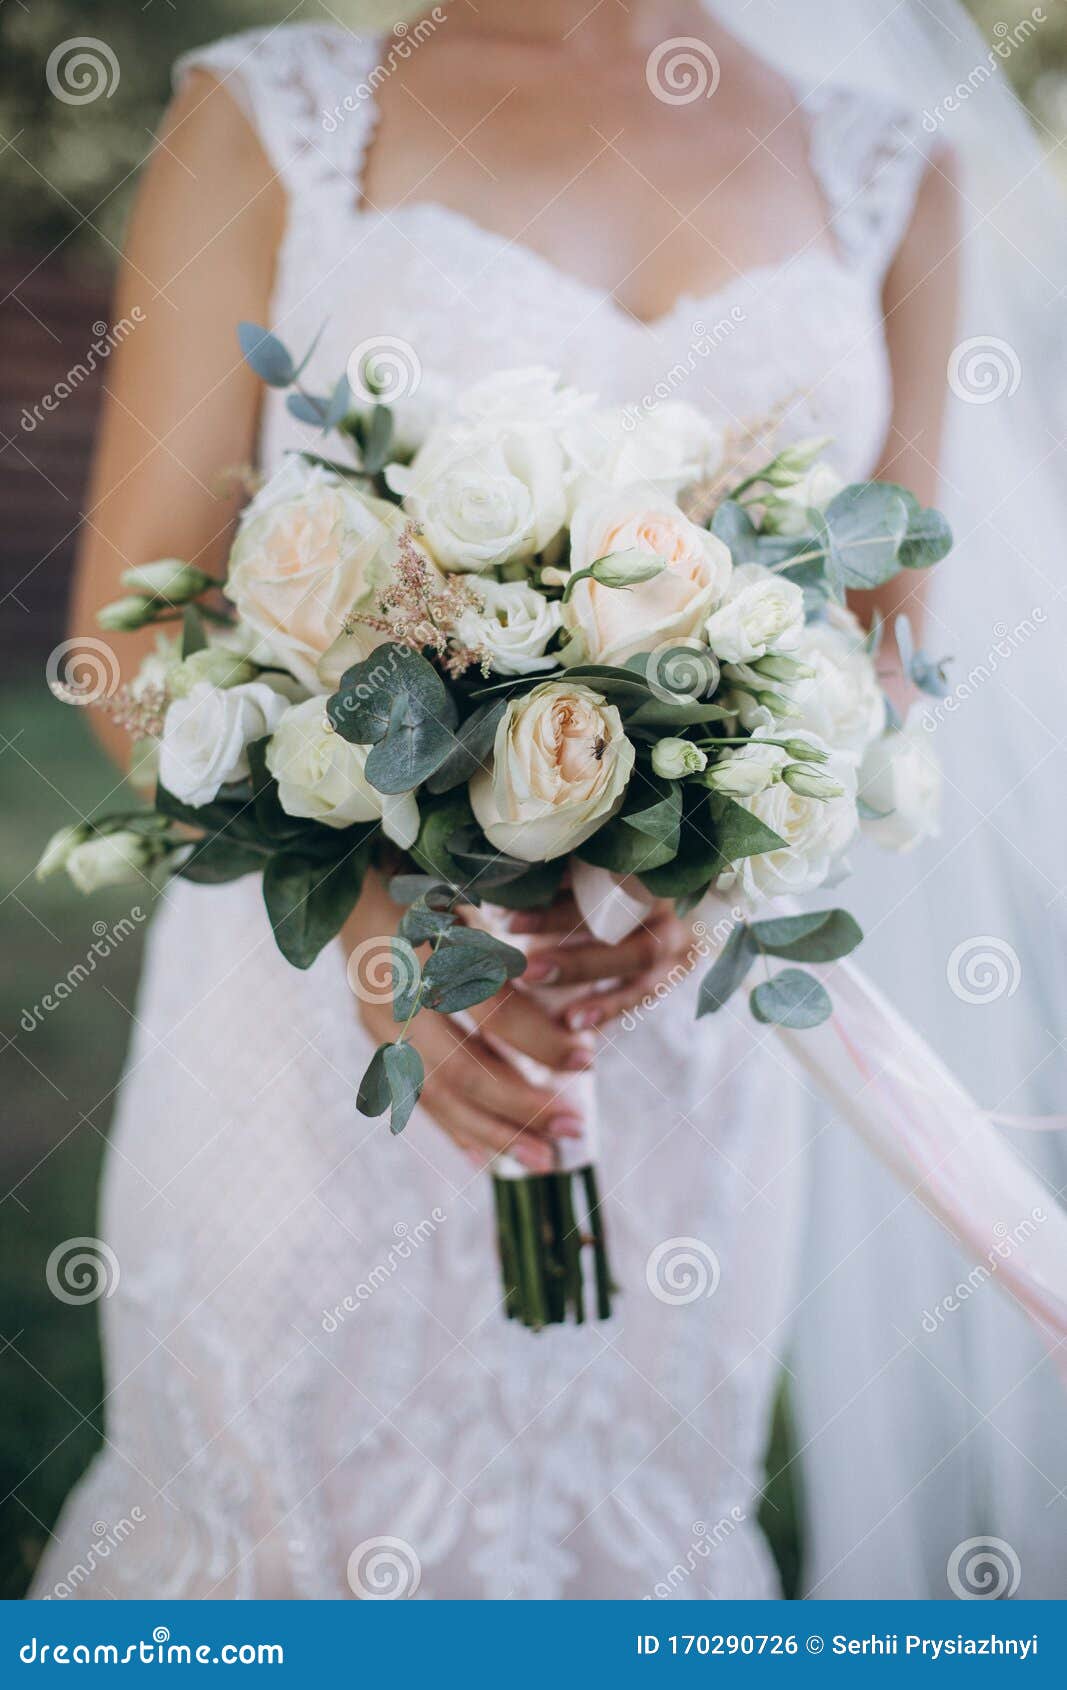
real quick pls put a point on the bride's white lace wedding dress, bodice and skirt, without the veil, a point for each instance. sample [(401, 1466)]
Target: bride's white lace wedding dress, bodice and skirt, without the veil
[(258, 1431)]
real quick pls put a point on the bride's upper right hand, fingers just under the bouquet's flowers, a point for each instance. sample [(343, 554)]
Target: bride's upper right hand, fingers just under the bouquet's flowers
[(657, 956)]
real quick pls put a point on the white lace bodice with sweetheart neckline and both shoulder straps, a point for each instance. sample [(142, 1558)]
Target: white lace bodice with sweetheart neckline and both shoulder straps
[(804, 334)]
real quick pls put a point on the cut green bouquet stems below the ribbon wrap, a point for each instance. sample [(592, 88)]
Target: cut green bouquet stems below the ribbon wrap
[(550, 1236)]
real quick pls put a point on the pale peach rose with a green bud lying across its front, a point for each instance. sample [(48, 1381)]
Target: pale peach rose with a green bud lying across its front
[(616, 623)]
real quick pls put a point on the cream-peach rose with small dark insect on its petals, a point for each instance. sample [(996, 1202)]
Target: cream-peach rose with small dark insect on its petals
[(561, 765)]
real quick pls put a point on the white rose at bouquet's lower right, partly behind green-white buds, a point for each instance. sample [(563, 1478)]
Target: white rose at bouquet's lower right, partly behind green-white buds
[(816, 831)]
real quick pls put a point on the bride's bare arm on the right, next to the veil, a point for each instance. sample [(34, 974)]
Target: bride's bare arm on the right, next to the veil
[(921, 303)]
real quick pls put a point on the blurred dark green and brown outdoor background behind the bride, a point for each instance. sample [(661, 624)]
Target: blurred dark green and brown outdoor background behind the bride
[(67, 177)]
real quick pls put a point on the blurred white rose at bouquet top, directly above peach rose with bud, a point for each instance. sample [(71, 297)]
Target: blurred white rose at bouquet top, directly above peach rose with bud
[(664, 450)]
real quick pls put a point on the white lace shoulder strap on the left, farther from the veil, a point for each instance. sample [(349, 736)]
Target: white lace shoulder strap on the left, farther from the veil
[(309, 94)]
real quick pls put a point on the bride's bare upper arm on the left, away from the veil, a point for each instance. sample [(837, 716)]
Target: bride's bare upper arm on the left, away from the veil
[(180, 405)]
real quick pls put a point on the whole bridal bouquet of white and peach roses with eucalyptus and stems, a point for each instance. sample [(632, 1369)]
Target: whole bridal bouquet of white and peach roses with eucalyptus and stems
[(545, 643)]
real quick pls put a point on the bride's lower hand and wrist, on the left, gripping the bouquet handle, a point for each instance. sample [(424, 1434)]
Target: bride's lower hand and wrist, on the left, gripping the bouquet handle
[(473, 1093)]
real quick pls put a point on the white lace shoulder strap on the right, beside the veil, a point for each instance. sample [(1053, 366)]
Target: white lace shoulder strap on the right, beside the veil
[(870, 160)]
